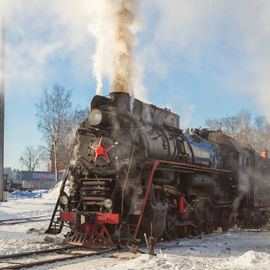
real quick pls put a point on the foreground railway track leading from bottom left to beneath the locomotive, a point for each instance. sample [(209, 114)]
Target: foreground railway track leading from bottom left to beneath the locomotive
[(43, 257)]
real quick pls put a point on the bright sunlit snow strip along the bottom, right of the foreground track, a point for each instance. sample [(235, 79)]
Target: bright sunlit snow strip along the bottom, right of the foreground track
[(173, 261)]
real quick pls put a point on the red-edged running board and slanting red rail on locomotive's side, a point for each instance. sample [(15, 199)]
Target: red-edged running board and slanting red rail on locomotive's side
[(184, 167)]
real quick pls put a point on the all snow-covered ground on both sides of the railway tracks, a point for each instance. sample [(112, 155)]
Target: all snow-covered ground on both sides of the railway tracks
[(232, 250)]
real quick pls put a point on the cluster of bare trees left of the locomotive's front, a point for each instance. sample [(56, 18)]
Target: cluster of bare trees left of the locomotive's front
[(57, 121)]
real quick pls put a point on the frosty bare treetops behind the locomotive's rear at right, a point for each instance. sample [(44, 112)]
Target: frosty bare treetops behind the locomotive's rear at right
[(250, 132)]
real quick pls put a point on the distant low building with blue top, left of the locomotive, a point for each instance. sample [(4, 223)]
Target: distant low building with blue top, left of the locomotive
[(37, 180)]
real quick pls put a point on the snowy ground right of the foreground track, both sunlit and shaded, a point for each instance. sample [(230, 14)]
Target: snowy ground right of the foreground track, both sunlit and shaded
[(231, 250)]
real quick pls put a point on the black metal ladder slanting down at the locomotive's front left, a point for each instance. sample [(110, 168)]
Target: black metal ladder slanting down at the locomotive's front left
[(55, 226)]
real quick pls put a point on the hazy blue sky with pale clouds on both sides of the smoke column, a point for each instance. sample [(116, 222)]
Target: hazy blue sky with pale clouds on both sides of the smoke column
[(203, 59)]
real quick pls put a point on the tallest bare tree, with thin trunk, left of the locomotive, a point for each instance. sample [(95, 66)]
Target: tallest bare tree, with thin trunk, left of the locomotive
[(54, 115)]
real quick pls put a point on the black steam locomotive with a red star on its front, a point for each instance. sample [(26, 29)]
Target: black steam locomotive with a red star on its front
[(135, 172)]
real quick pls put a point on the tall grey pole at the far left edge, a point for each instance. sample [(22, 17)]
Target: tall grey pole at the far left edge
[(2, 104)]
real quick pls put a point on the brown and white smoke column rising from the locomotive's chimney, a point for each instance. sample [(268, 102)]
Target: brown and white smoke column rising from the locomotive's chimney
[(115, 37)]
